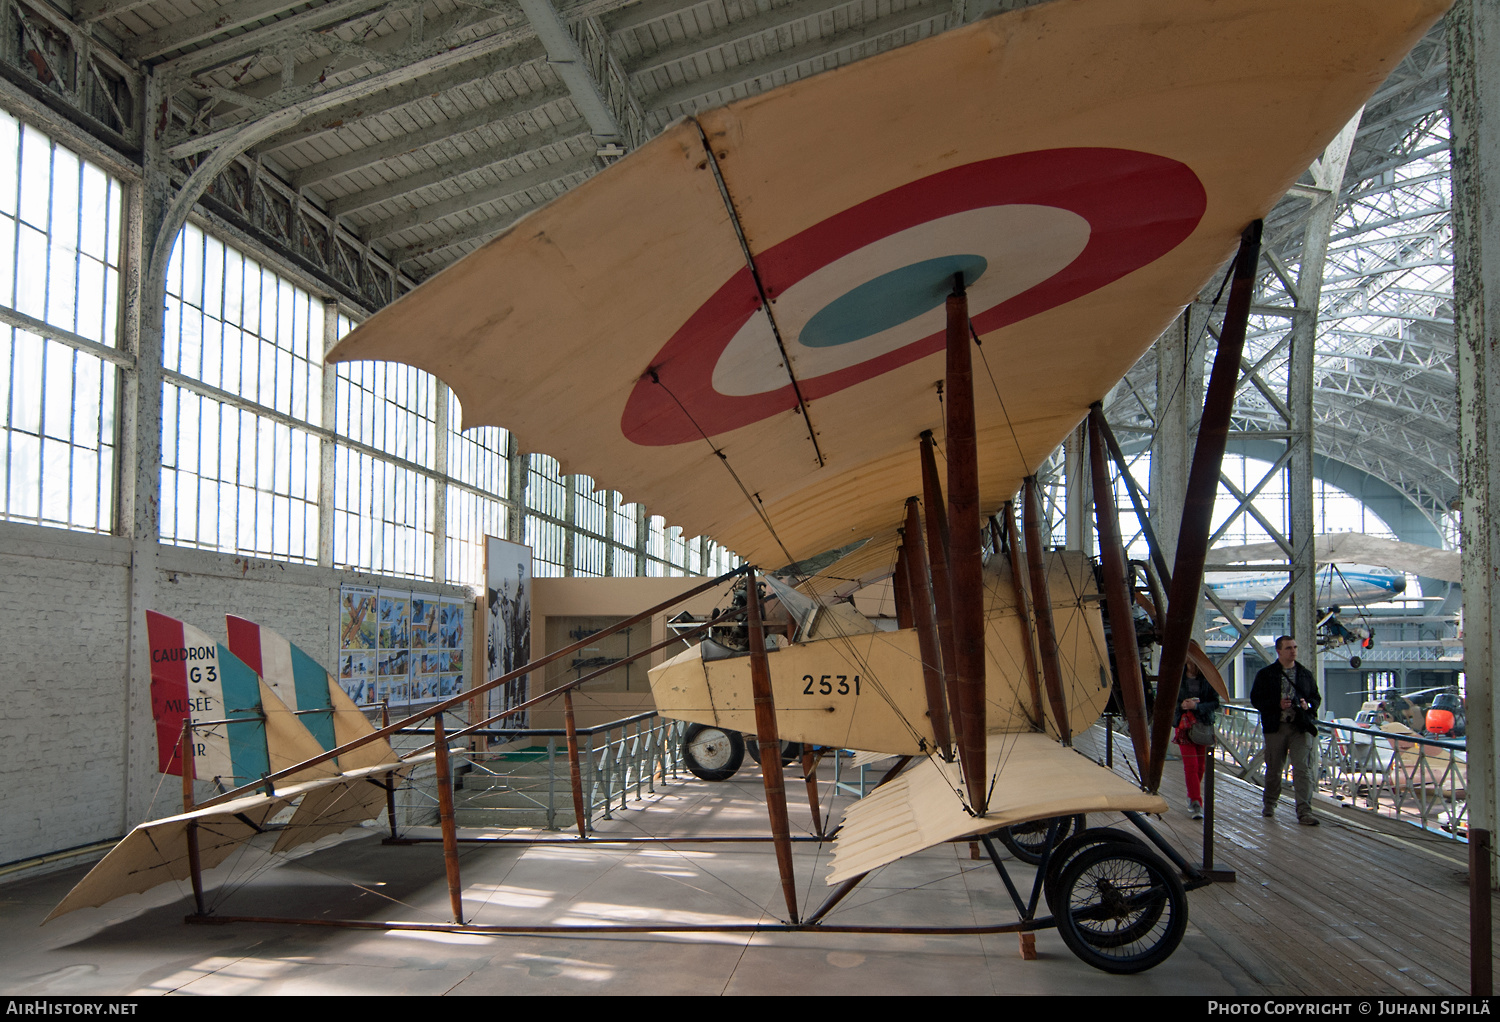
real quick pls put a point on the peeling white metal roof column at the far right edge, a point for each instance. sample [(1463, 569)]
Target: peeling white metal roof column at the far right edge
[(1475, 74)]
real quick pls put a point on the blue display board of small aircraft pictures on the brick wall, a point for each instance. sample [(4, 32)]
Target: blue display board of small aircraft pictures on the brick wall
[(400, 646)]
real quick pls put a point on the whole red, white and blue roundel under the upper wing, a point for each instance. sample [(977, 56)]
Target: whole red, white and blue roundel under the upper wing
[(862, 293)]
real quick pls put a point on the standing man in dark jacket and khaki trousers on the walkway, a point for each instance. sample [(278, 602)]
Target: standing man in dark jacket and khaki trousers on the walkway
[(1288, 699)]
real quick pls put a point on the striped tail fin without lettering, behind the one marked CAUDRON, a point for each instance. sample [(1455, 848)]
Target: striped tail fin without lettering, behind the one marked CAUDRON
[(304, 685)]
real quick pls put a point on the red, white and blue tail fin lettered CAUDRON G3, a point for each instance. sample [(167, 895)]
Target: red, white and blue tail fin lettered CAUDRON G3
[(197, 678)]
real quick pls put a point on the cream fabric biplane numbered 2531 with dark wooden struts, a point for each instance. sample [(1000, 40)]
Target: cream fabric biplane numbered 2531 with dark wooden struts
[(775, 319)]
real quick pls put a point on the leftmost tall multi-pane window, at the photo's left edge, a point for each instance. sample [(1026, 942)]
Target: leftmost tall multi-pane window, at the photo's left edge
[(61, 251)]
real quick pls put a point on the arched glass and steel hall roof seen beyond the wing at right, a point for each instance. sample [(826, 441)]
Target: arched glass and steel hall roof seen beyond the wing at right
[(1385, 368)]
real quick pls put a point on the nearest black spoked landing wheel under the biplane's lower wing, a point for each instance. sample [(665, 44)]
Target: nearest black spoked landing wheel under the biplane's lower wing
[(1121, 909)]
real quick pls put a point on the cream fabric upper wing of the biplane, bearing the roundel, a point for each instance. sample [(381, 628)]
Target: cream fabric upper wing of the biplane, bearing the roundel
[(1085, 166)]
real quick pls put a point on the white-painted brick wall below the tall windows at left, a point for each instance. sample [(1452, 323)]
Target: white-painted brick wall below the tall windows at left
[(77, 747)]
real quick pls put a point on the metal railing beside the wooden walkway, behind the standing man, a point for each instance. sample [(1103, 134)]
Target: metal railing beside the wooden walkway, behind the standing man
[(1406, 777)]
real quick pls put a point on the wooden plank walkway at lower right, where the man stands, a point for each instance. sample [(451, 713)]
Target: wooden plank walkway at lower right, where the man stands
[(1361, 906)]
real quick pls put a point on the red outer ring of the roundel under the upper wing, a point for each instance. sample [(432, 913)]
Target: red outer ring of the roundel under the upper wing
[(1139, 208)]
